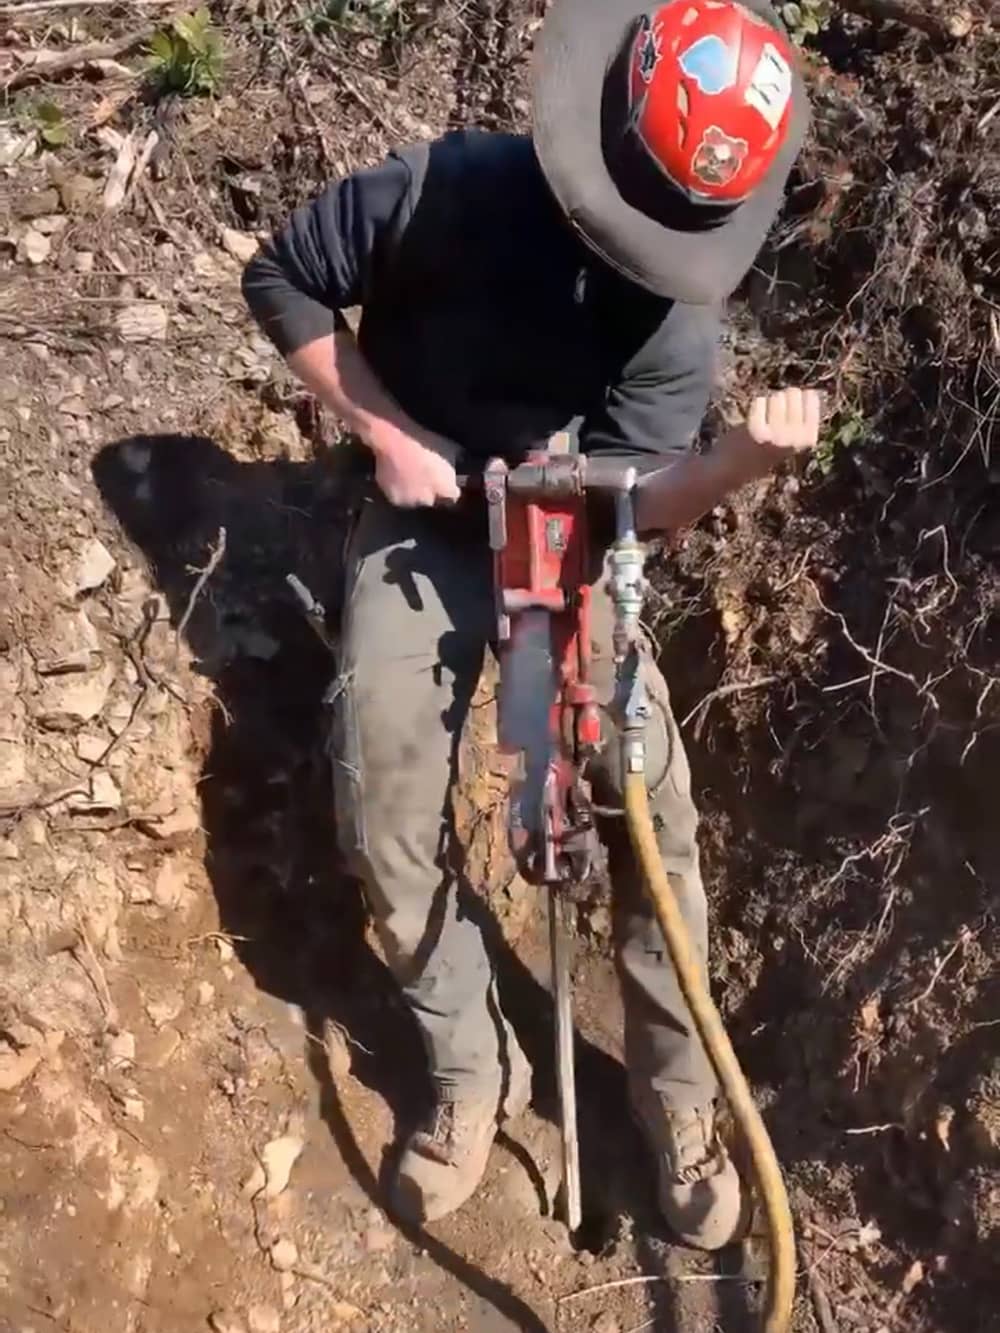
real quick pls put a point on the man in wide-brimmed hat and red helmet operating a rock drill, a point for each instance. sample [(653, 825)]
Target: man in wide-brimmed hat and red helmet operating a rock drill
[(510, 287)]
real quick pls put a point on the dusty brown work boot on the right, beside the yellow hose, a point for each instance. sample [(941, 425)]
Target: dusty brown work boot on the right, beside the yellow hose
[(701, 1192)]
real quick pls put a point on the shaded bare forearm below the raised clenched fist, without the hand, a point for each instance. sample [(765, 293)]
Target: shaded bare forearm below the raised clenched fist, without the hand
[(697, 483)]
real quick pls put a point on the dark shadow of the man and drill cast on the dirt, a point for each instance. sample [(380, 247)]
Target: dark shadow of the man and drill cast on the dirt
[(299, 923)]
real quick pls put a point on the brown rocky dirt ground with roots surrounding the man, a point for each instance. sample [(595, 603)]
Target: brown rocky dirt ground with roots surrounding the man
[(203, 1063)]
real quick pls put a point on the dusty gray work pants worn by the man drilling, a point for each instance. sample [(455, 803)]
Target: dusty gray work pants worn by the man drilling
[(419, 613)]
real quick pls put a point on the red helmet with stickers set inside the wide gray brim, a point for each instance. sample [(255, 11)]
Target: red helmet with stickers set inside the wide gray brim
[(711, 97)]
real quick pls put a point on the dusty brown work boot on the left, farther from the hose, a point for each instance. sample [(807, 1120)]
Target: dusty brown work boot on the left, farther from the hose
[(446, 1159)]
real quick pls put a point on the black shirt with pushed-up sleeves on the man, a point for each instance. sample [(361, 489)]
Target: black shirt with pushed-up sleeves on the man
[(482, 313)]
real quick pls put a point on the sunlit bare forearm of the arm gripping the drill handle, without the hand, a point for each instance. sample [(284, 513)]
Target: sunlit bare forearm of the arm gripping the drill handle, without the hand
[(335, 370)]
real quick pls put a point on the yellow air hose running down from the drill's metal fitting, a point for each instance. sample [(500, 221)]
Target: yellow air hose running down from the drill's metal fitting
[(771, 1188)]
